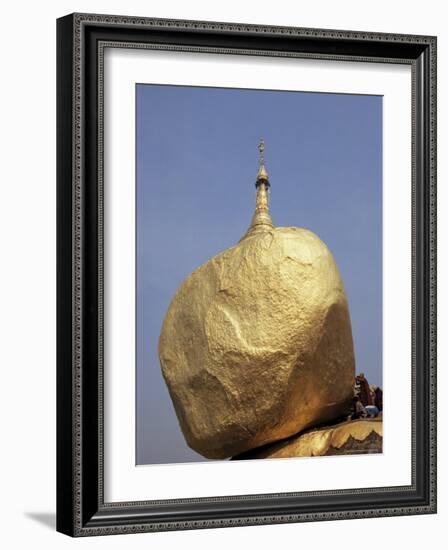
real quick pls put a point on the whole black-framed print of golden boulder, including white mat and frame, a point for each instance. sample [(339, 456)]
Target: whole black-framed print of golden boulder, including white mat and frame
[(246, 274)]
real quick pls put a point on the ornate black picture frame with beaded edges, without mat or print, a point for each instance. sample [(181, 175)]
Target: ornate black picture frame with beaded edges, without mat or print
[(81, 509)]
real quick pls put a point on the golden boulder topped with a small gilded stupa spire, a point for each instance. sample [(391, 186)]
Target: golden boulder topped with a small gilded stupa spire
[(256, 345)]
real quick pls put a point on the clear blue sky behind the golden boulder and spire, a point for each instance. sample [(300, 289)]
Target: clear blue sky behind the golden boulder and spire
[(197, 160)]
